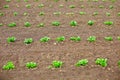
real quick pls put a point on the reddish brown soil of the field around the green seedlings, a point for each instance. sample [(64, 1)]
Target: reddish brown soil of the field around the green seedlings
[(68, 52)]
